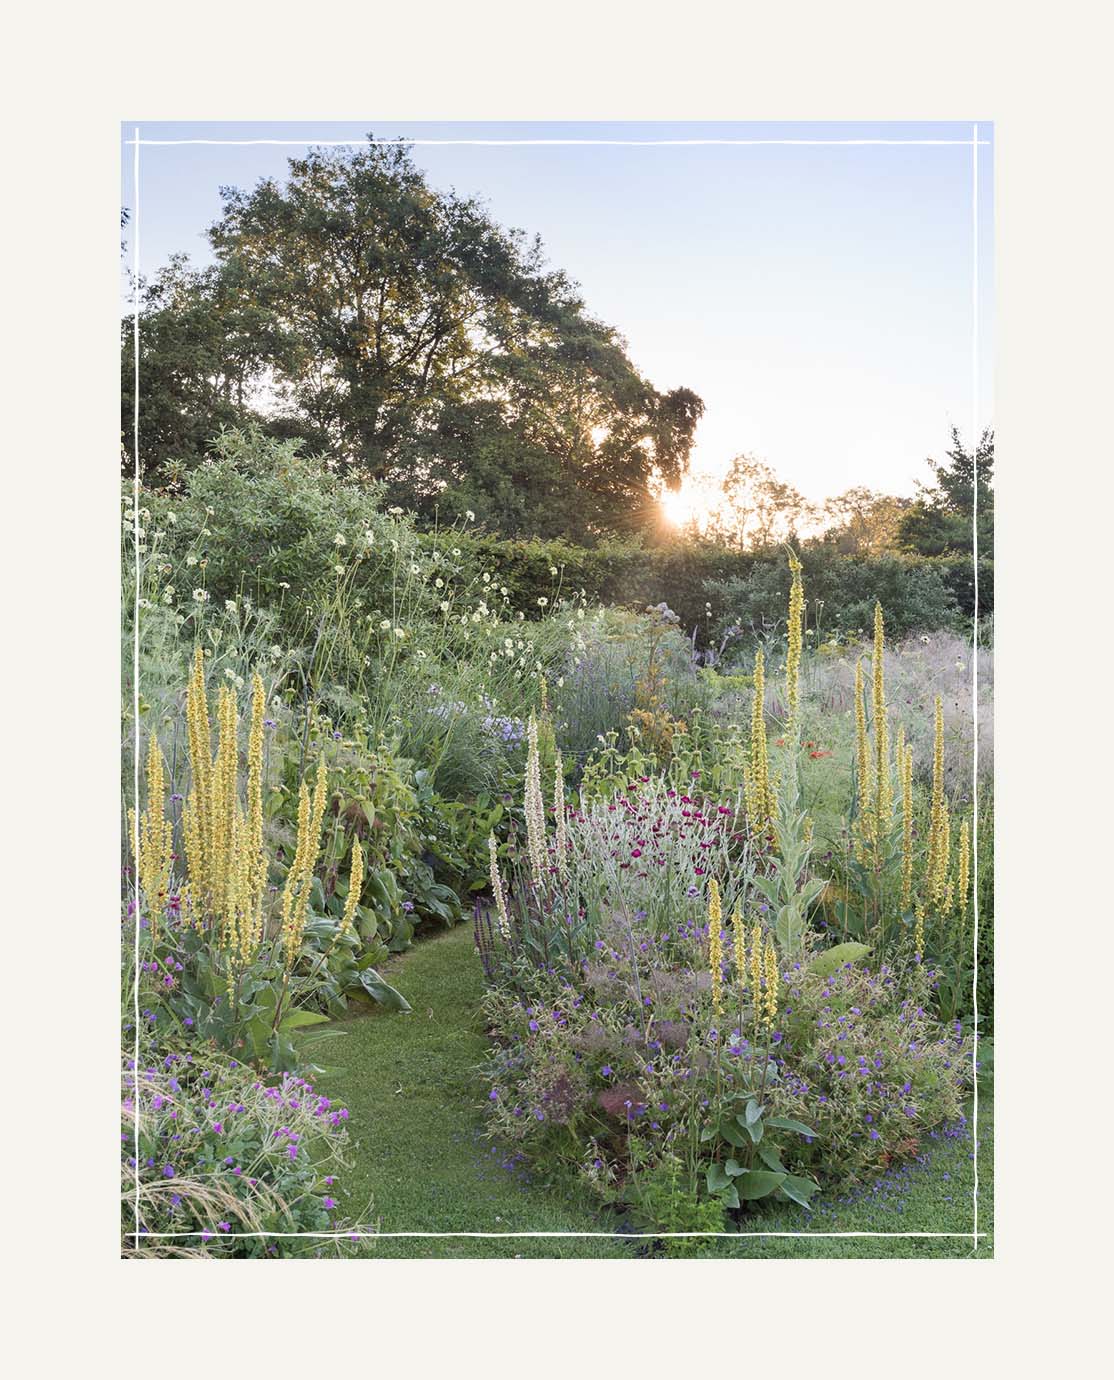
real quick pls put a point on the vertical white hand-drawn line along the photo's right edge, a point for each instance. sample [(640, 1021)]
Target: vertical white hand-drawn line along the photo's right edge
[(975, 653)]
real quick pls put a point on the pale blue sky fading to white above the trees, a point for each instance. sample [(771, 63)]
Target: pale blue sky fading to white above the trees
[(819, 297)]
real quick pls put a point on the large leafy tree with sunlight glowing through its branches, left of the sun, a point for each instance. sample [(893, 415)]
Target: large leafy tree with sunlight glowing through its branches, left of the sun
[(416, 342)]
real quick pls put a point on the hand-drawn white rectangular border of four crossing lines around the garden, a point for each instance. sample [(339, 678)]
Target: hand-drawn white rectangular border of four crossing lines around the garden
[(974, 144)]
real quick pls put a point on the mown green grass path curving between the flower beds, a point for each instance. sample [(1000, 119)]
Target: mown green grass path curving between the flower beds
[(418, 1123)]
